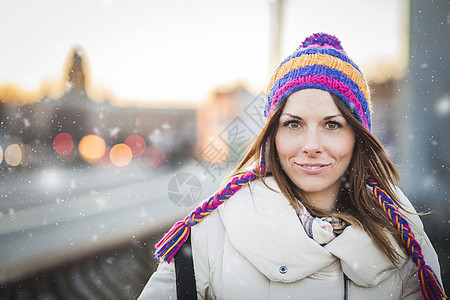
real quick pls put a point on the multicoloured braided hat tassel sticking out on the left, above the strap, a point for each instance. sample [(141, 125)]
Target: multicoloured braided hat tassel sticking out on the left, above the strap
[(169, 245)]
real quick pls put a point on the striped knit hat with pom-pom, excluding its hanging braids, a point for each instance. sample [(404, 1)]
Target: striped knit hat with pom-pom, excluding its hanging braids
[(320, 62)]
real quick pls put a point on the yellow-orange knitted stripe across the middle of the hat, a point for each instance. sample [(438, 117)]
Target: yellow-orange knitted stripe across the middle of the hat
[(322, 60)]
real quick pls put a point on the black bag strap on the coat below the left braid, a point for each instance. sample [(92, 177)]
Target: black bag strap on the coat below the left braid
[(185, 275)]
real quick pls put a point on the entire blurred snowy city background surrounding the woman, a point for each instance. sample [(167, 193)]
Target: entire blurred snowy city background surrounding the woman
[(117, 117)]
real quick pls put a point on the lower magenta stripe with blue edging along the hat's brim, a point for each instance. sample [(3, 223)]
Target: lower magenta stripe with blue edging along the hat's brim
[(324, 83)]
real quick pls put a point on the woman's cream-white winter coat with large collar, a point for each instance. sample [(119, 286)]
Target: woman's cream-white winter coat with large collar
[(254, 247)]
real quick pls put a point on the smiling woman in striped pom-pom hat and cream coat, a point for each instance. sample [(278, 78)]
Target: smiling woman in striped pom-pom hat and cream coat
[(319, 215)]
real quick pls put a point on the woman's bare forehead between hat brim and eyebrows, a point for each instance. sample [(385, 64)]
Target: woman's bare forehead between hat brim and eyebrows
[(311, 102)]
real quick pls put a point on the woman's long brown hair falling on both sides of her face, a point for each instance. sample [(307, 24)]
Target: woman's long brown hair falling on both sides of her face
[(355, 202)]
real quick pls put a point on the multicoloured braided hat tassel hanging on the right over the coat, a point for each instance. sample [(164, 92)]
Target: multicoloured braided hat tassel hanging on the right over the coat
[(429, 284)]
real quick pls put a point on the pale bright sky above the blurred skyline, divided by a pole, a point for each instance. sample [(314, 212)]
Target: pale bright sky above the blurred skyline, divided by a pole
[(175, 50)]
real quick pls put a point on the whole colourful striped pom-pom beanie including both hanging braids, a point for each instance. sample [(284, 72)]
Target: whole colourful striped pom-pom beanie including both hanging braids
[(319, 63)]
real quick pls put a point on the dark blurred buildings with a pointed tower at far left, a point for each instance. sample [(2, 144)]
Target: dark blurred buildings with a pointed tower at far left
[(169, 133)]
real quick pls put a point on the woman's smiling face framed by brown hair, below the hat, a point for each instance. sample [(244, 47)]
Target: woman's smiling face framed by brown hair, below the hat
[(315, 143)]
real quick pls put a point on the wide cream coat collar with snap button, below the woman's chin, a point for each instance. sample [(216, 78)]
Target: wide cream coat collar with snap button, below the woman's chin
[(263, 226)]
